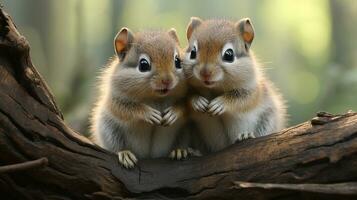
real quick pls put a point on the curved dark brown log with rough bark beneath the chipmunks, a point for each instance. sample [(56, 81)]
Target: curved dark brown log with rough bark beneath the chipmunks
[(42, 158)]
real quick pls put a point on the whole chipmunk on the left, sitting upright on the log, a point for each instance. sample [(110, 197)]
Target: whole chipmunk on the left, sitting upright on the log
[(140, 108)]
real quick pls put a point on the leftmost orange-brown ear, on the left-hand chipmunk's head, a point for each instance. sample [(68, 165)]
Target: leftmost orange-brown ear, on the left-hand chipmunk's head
[(122, 42)]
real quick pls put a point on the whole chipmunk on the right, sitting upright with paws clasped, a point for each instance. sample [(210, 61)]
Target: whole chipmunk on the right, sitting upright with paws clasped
[(232, 99)]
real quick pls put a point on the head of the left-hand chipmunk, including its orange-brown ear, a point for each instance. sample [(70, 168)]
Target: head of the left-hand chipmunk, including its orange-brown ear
[(150, 63)]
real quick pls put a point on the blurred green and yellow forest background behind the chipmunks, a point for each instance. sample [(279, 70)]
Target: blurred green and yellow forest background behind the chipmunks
[(308, 48)]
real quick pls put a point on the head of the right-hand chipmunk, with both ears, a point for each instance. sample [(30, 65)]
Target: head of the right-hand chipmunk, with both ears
[(218, 54)]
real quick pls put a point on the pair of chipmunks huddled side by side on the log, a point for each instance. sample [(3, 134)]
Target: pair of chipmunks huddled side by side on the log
[(156, 100)]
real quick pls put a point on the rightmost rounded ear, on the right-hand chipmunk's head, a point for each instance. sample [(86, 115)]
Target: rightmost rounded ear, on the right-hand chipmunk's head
[(246, 31)]
